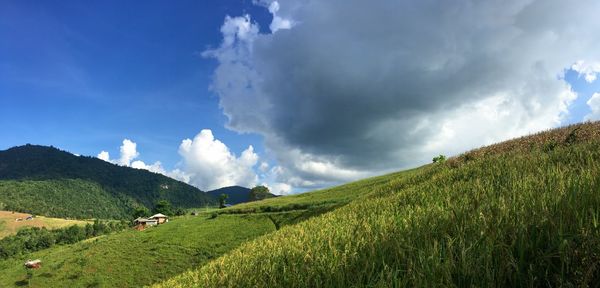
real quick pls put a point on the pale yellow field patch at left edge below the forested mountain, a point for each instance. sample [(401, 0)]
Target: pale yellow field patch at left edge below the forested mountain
[(8, 225)]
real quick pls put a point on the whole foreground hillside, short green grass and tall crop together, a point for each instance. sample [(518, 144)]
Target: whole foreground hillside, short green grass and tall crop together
[(520, 213)]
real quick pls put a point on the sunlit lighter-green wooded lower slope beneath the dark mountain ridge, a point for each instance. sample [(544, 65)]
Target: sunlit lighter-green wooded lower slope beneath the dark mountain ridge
[(74, 197)]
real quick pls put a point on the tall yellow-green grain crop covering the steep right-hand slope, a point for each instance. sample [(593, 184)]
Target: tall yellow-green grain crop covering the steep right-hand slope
[(520, 213)]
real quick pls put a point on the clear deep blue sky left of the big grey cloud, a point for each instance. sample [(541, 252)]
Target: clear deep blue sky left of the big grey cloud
[(84, 76)]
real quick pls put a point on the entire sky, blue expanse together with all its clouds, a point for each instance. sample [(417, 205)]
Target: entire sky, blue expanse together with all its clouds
[(296, 95)]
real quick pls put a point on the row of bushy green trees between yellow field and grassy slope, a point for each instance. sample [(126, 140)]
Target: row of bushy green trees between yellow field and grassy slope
[(34, 239)]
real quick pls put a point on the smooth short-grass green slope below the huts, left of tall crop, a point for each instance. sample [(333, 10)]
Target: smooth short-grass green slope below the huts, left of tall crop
[(133, 258)]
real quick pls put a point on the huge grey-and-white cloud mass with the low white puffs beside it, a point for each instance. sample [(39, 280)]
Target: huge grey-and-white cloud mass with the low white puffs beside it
[(345, 89)]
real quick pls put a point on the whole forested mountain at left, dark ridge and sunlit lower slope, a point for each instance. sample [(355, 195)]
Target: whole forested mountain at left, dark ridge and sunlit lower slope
[(45, 180)]
